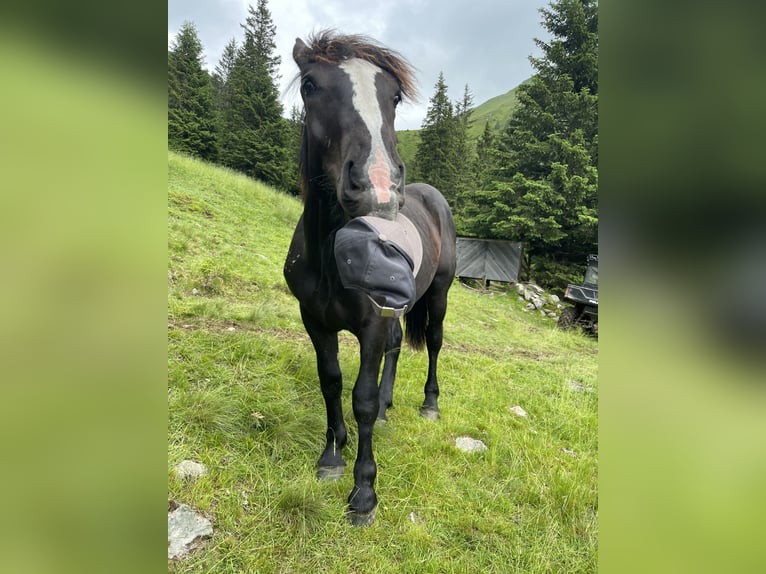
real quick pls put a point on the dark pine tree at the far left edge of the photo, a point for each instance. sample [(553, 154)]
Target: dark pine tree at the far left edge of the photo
[(191, 111)]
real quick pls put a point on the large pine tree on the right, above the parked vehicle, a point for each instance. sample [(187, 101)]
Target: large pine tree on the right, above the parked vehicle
[(545, 192)]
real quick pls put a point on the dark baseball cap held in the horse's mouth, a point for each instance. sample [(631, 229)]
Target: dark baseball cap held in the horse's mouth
[(368, 260)]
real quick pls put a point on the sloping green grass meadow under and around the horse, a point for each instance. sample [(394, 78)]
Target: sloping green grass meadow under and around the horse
[(243, 399)]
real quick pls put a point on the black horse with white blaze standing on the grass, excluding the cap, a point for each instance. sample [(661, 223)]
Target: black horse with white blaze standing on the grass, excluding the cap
[(350, 168)]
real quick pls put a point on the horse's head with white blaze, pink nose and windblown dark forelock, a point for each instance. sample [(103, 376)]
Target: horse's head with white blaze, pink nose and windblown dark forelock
[(350, 88)]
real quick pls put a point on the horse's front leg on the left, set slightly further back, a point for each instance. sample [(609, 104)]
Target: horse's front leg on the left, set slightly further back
[(331, 464)]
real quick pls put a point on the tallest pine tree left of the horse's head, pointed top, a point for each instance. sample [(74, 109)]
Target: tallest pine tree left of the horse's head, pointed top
[(255, 135)]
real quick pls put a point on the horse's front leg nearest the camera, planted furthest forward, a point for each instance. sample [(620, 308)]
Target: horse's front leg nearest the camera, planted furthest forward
[(362, 501)]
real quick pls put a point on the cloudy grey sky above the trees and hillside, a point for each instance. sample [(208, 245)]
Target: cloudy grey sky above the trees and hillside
[(485, 44)]
